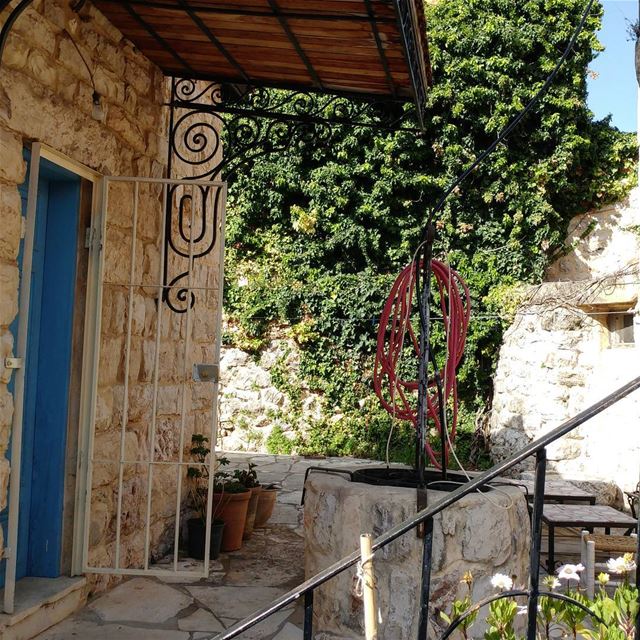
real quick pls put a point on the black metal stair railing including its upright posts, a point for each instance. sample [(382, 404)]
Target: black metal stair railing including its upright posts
[(536, 448)]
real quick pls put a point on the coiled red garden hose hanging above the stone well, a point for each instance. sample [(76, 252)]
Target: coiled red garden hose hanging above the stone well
[(395, 329)]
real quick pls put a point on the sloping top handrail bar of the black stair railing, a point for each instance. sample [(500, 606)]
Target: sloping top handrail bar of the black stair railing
[(307, 587)]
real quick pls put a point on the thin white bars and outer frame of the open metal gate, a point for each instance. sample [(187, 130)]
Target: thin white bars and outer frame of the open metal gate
[(186, 388)]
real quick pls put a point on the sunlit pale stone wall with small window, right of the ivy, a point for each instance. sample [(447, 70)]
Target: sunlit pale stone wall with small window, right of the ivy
[(559, 356)]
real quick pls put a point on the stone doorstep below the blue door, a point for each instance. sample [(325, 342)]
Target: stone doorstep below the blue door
[(41, 603)]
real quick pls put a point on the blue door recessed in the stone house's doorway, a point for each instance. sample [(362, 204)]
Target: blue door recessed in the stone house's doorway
[(47, 372)]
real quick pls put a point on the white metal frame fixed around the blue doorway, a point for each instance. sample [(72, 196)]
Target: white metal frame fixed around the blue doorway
[(38, 151)]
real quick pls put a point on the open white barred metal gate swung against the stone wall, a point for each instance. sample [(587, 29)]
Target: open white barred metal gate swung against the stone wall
[(159, 307)]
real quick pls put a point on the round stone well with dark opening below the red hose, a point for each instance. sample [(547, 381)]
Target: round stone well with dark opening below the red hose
[(482, 533)]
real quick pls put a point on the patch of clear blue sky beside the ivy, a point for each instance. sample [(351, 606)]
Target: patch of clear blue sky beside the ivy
[(614, 91)]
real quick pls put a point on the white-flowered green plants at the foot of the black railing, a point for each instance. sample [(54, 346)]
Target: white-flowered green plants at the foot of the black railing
[(605, 617)]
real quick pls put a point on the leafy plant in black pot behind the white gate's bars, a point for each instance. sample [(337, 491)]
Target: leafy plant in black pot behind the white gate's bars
[(198, 477)]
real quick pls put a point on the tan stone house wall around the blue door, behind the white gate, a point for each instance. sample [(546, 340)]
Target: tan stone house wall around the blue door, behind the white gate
[(46, 96)]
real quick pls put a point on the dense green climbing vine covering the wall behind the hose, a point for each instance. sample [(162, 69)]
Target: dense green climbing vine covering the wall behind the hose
[(317, 235)]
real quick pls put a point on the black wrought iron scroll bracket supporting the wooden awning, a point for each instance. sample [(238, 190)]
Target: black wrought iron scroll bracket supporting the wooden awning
[(250, 122)]
